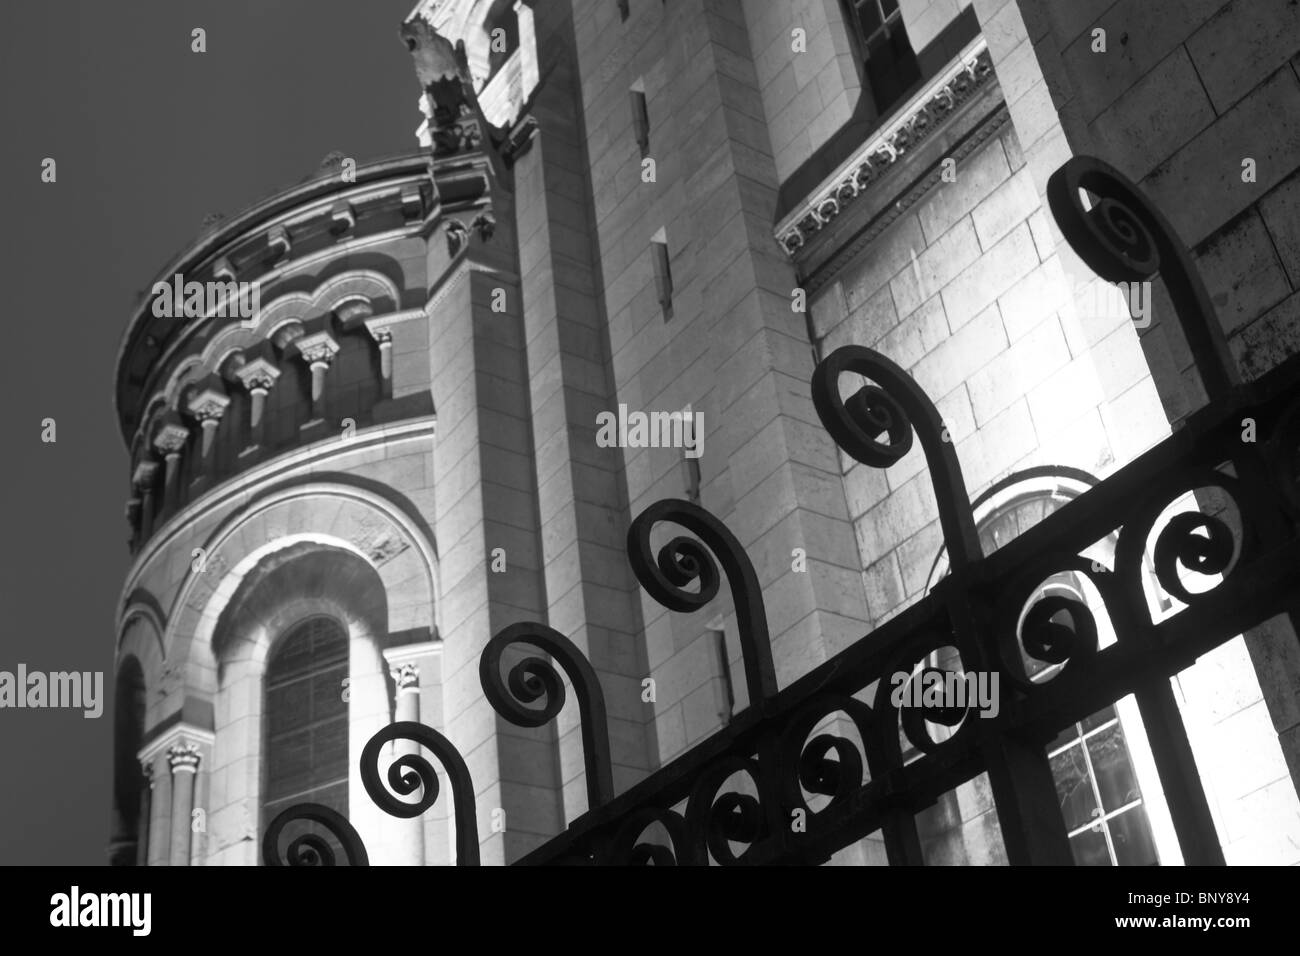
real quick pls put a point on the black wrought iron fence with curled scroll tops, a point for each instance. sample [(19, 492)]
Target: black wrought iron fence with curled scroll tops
[(1247, 552)]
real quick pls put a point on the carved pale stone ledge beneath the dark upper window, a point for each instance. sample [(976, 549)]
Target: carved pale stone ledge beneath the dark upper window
[(916, 123)]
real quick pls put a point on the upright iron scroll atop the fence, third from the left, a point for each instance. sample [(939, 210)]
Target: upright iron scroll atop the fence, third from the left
[(536, 680)]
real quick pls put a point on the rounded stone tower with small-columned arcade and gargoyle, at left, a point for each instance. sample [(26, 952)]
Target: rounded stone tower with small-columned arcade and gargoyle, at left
[(333, 479)]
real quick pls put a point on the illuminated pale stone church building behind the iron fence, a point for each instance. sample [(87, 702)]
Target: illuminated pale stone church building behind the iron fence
[(682, 206)]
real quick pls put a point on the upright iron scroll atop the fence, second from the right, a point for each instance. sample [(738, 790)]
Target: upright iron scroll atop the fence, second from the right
[(899, 409)]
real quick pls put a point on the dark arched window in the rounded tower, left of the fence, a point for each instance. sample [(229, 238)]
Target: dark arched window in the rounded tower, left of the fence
[(305, 754)]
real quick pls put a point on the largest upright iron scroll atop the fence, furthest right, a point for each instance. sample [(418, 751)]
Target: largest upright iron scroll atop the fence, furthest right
[(1125, 239)]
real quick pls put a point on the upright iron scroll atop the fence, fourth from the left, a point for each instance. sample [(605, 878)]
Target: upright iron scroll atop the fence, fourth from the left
[(684, 561)]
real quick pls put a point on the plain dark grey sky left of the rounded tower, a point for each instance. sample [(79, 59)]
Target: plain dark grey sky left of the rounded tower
[(149, 139)]
